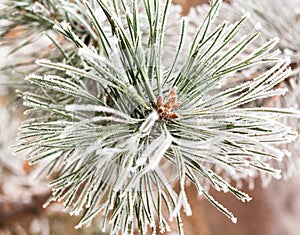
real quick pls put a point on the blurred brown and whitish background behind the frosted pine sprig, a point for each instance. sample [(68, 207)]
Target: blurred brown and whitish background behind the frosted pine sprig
[(274, 210)]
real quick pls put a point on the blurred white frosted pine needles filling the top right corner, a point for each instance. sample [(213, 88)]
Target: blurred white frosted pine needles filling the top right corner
[(282, 20)]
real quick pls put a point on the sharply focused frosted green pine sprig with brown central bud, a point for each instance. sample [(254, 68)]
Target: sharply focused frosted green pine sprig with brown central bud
[(134, 114)]
